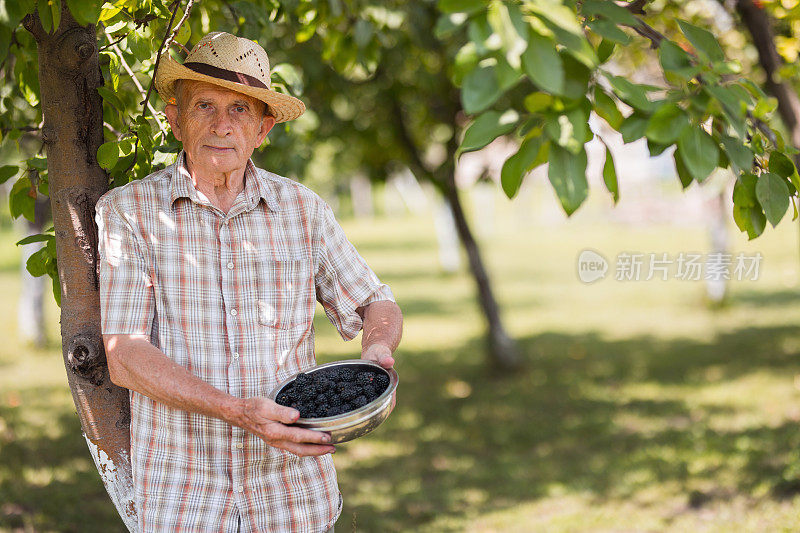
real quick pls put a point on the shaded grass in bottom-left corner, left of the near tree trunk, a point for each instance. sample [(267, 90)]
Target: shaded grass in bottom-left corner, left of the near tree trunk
[(47, 479)]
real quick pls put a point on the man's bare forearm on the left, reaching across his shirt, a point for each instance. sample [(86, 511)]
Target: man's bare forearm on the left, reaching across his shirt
[(136, 364)]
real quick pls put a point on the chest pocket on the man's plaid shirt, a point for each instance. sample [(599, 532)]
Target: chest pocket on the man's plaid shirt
[(285, 287)]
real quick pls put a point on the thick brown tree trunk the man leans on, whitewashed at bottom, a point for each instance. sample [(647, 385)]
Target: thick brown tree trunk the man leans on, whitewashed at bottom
[(69, 74)]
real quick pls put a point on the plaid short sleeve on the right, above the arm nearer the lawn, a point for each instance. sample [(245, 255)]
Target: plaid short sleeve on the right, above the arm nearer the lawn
[(343, 280)]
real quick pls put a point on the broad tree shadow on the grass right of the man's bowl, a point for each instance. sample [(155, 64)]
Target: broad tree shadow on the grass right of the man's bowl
[(470, 444)]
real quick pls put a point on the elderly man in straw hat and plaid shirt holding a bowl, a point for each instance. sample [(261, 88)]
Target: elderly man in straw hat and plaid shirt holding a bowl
[(210, 270)]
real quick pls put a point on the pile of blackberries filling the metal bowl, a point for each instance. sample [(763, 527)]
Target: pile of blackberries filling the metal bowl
[(334, 390)]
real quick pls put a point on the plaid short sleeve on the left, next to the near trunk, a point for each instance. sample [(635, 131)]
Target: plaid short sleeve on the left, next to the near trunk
[(127, 300)]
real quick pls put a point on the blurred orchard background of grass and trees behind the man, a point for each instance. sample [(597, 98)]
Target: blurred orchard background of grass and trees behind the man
[(635, 393)]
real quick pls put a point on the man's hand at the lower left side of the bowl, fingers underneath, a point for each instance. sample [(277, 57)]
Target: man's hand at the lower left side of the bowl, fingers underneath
[(268, 421)]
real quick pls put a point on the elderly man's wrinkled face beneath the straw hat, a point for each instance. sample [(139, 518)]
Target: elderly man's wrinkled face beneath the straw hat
[(219, 128)]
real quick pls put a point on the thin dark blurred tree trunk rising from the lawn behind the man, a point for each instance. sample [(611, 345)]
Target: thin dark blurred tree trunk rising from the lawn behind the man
[(503, 350)]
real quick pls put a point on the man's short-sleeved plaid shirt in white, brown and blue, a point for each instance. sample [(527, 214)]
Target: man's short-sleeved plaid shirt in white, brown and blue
[(231, 297)]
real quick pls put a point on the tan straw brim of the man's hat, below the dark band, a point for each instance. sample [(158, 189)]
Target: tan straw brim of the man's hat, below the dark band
[(281, 106)]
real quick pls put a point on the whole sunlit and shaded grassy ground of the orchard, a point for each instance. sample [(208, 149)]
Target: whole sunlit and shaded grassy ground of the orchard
[(639, 408)]
